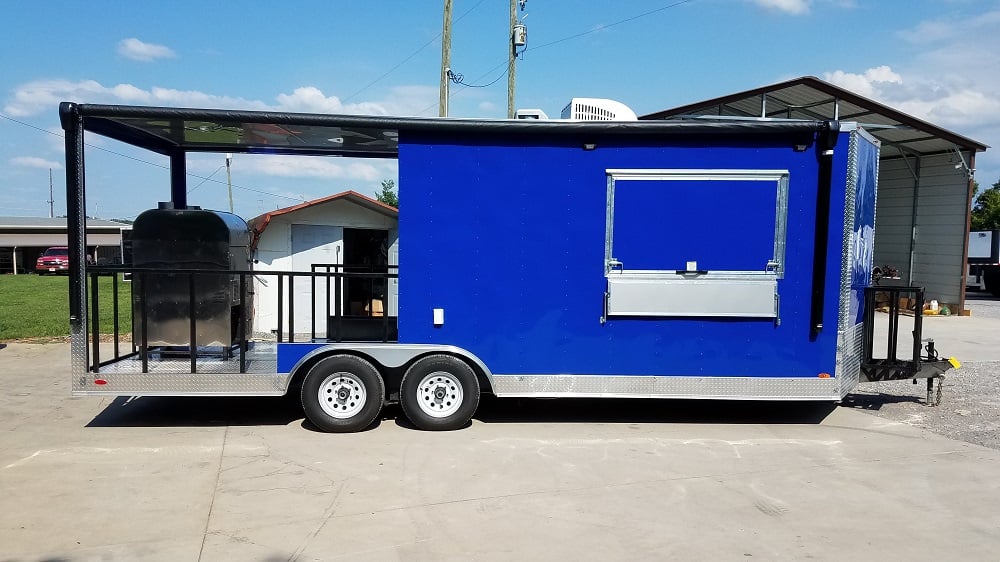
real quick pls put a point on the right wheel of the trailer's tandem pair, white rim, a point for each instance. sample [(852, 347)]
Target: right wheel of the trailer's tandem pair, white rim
[(439, 393)]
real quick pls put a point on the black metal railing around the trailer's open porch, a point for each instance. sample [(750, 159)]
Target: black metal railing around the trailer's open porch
[(340, 326)]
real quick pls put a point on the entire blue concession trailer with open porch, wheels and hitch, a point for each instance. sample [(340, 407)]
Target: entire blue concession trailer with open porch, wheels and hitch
[(651, 259)]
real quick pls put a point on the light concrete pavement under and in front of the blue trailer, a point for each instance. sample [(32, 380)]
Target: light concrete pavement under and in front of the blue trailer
[(246, 479)]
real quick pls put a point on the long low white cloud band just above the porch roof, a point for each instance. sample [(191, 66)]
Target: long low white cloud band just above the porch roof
[(44, 95)]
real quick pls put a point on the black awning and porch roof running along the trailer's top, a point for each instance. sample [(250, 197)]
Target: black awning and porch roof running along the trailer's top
[(169, 130)]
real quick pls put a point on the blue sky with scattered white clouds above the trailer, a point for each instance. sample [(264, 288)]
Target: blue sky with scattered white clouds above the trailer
[(938, 60)]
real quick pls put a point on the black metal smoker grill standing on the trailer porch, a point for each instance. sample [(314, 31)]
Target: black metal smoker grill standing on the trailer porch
[(169, 240)]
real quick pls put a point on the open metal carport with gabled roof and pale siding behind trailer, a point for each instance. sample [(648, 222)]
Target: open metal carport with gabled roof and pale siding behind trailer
[(925, 175)]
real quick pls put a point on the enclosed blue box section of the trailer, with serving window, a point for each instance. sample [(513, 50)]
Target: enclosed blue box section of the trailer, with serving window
[(517, 237)]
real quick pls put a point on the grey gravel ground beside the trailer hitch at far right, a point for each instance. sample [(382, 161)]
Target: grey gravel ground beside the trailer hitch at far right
[(970, 401)]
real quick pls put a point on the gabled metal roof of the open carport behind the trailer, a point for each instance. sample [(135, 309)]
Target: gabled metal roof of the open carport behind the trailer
[(811, 98)]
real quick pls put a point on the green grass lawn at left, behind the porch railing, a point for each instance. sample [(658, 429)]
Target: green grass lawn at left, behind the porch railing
[(37, 306)]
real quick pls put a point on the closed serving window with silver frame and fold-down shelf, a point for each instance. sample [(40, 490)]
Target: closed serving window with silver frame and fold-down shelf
[(695, 242)]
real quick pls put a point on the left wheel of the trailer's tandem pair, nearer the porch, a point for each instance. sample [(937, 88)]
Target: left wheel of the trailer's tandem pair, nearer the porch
[(342, 394)]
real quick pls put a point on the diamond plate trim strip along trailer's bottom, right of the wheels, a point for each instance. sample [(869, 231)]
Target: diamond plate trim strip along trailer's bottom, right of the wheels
[(608, 386)]
